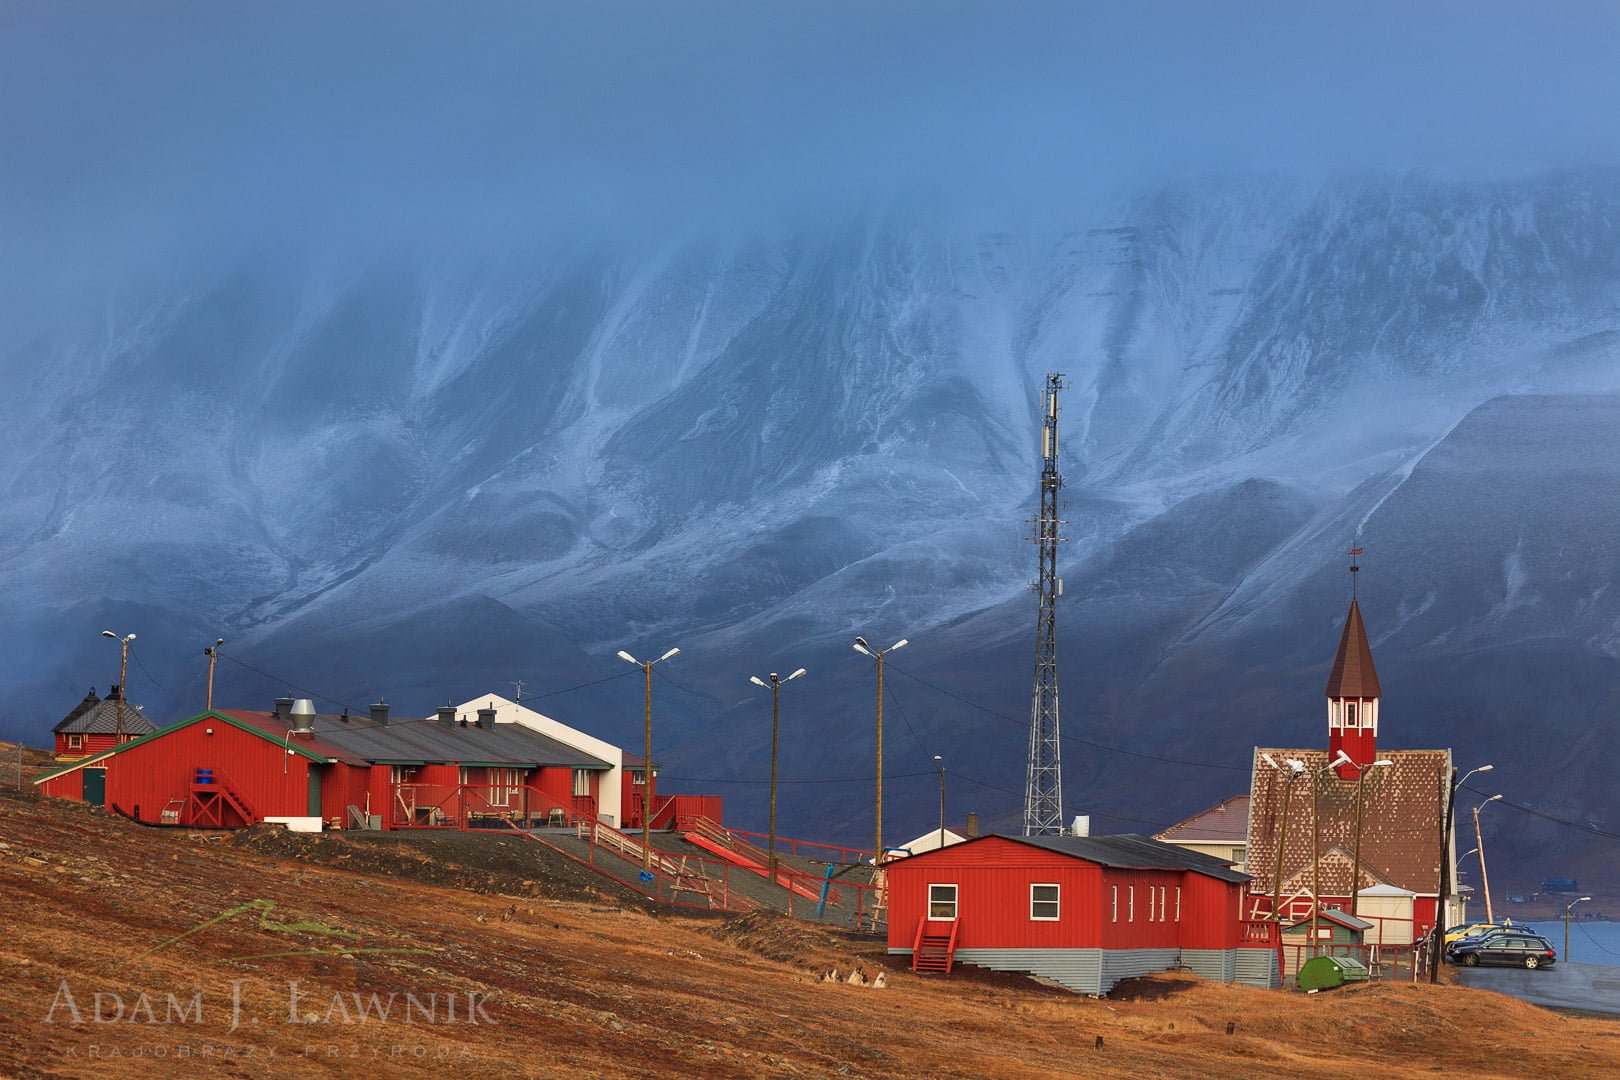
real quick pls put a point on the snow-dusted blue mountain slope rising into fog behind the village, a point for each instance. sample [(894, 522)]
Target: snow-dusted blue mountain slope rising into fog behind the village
[(369, 472)]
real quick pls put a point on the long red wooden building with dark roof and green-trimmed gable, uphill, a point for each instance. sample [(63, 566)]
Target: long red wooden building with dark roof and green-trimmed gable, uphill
[(236, 768)]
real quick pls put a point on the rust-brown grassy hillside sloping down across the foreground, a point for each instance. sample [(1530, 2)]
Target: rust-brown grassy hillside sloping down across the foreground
[(254, 958)]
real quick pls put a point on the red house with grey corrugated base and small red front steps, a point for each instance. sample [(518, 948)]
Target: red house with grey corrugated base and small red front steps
[(1085, 912)]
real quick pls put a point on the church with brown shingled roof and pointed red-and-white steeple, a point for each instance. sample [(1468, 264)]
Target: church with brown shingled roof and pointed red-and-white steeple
[(1352, 827)]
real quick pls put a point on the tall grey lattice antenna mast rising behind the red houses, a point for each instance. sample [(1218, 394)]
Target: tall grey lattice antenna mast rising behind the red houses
[(1044, 783)]
